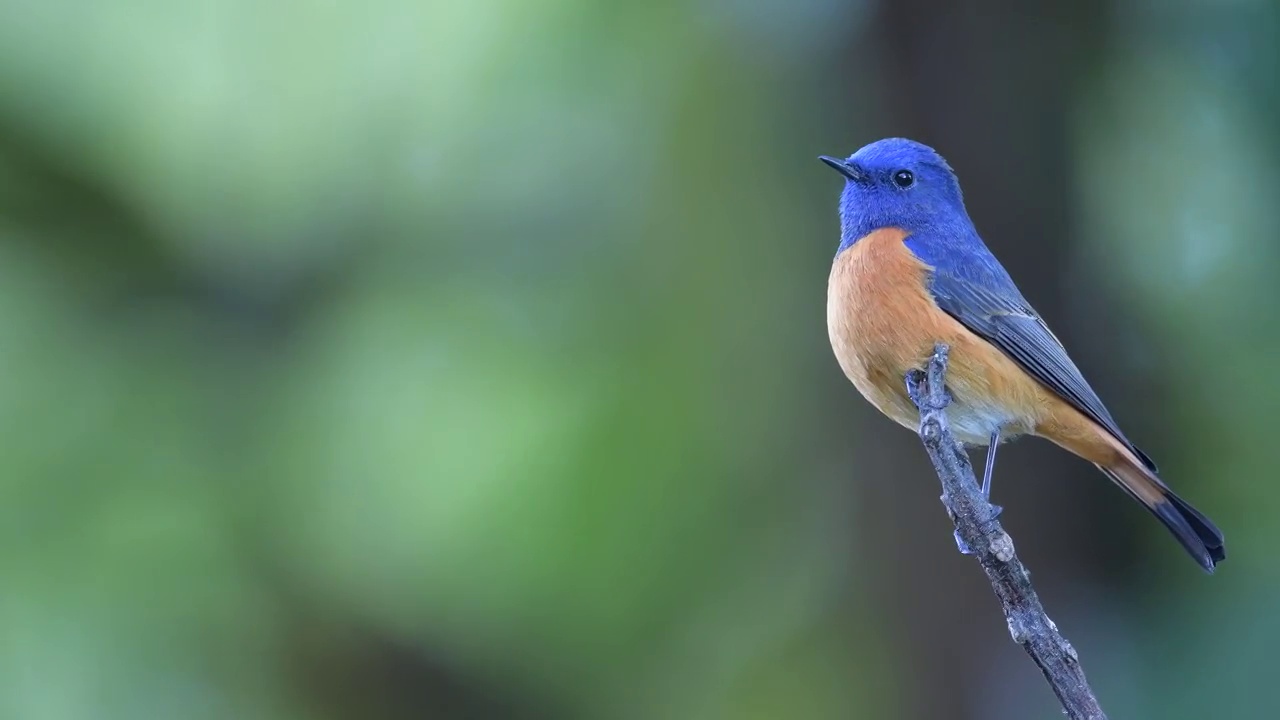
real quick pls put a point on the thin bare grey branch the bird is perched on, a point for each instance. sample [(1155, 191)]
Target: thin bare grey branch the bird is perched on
[(980, 530)]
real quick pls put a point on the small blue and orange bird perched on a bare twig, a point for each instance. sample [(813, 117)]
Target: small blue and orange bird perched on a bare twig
[(911, 272)]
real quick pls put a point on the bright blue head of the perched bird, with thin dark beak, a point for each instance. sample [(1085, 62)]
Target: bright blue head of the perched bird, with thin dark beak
[(897, 183)]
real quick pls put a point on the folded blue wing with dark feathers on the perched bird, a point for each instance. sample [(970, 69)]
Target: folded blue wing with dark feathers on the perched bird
[(973, 288)]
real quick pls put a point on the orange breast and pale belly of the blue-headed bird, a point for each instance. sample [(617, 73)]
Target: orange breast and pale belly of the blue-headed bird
[(883, 323)]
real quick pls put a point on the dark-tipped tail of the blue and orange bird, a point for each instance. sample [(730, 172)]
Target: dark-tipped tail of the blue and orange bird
[(1201, 539)]
